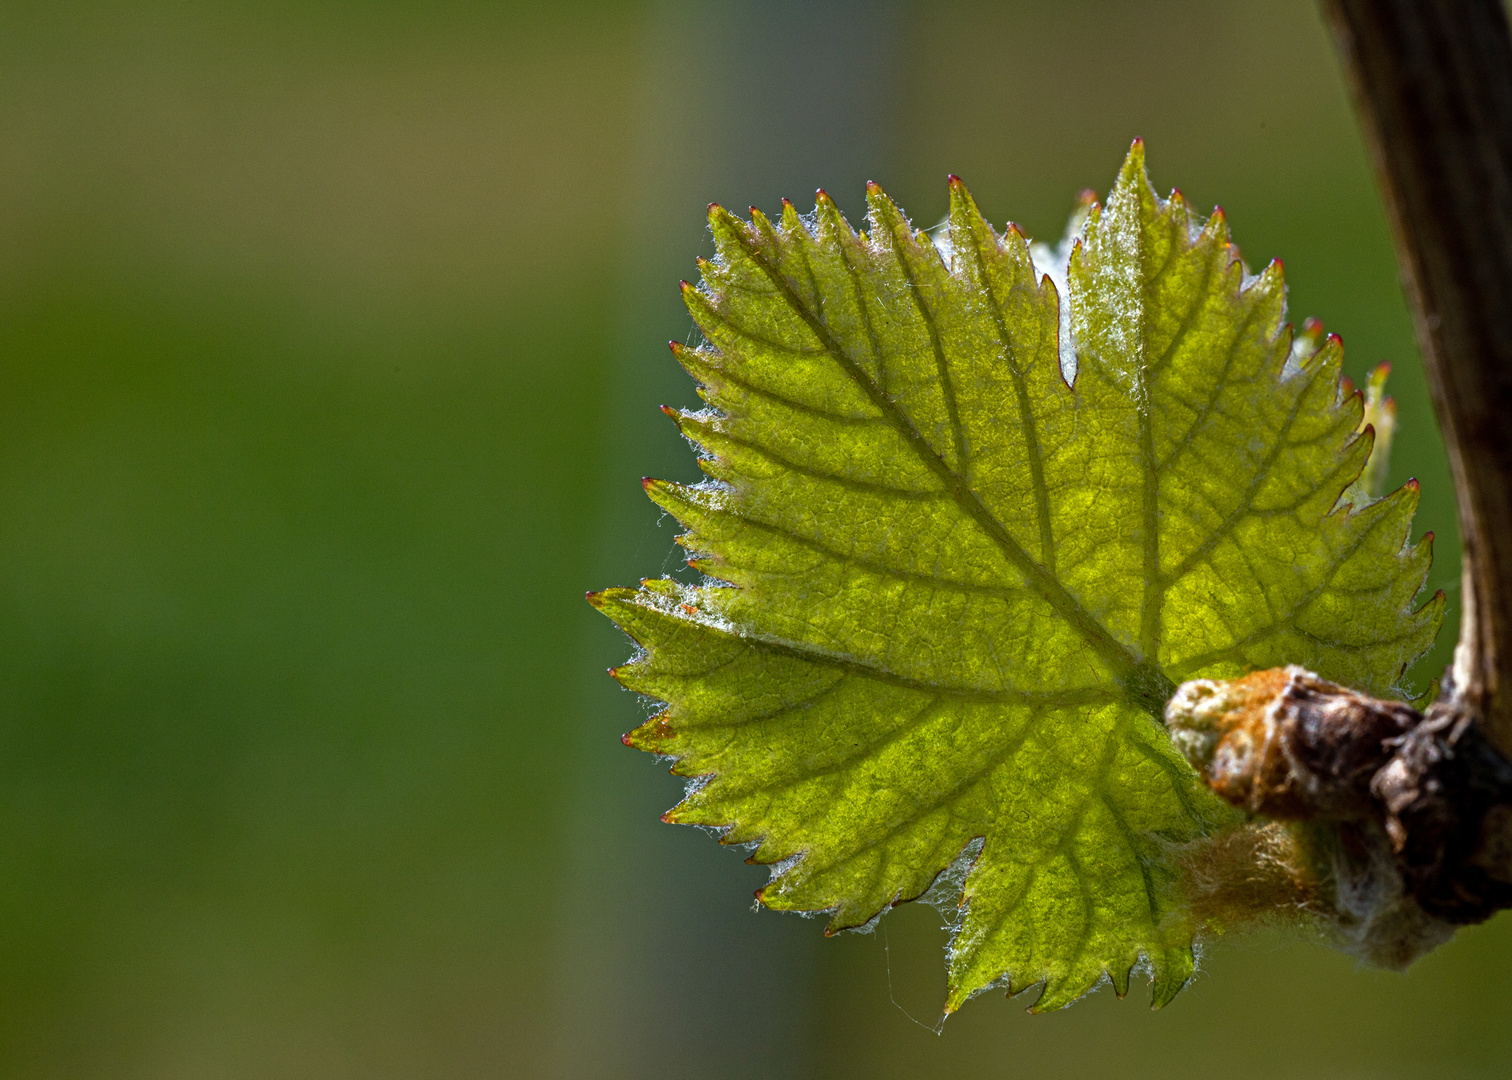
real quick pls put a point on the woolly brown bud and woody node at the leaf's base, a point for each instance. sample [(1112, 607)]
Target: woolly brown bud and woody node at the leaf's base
[(1407, 819)]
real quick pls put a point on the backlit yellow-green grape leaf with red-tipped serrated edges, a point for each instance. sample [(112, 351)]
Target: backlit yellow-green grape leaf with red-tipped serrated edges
[(958, 589)]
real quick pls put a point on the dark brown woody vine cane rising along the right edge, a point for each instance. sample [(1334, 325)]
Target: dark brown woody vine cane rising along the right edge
[(1433, 81)]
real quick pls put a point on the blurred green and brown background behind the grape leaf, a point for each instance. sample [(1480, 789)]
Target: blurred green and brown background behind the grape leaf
[(330, 346)]
